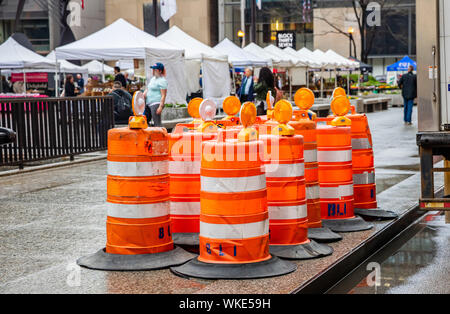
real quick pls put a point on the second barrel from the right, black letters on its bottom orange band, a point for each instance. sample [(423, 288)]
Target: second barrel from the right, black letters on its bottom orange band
[(336, 179)]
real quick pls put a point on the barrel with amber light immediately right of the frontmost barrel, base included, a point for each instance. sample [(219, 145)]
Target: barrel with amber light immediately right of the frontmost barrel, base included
[(286, 192)]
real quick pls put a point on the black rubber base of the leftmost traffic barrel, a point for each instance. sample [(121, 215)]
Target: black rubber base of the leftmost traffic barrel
[(105, 261)]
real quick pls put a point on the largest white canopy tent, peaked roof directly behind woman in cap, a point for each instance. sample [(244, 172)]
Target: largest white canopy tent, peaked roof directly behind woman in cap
[(121, 40)]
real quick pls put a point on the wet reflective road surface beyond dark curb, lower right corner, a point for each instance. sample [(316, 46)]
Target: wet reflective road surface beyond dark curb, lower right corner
[(417, 262)]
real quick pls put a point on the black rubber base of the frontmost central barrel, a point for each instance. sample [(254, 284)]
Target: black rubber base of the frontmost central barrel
[(270, 268)]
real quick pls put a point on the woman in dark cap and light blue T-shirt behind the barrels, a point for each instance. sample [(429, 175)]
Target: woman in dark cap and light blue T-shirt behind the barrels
[(155, 94)]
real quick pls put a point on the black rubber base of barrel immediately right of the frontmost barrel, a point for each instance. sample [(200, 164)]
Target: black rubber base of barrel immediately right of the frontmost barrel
[(302, 251)]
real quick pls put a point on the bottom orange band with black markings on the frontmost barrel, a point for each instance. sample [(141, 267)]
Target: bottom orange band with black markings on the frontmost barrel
[(223, 251)]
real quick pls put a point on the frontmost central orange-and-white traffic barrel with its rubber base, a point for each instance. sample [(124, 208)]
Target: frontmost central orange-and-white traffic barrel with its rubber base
[(234, 219)]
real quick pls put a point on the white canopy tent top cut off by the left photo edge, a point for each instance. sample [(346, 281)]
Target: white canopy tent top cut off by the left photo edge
[(15, 56)]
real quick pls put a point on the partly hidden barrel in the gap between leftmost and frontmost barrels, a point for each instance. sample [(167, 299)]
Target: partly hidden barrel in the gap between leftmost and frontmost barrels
[(184, 177)]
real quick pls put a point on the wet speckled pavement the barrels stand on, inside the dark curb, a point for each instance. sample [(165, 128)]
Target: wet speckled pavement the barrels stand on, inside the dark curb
[(50, 218)]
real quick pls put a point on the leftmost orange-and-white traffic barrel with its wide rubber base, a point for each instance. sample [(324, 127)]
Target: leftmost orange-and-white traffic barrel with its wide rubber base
[(138, 225)]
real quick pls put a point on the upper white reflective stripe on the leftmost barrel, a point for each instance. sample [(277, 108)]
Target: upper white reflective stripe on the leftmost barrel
[(138, 169)]
